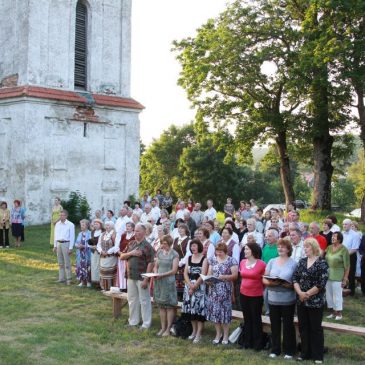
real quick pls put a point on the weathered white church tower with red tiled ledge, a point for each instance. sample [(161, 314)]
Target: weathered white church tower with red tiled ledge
[(67, 119)]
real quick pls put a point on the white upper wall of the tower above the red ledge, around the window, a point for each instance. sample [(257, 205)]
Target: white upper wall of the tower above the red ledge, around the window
[(38, 39)]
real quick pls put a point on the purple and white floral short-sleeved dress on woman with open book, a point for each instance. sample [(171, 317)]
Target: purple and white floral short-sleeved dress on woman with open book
[(219, 301)]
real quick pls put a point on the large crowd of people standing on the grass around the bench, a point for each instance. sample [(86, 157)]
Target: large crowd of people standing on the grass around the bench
[(257, 262)]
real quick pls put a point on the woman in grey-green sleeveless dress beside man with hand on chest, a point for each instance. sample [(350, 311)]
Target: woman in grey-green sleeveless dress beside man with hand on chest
[(164, 293)]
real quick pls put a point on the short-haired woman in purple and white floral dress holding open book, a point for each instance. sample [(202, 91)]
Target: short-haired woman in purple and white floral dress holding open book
[(219, 301)]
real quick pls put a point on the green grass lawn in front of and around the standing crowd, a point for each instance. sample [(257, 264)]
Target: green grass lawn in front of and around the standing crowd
[(42, 322)]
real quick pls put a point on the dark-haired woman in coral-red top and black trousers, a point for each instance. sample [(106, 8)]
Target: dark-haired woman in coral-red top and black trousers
[(251, 270)]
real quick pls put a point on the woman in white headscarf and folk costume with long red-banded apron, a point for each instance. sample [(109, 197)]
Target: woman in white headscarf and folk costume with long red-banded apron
[(108, 260)]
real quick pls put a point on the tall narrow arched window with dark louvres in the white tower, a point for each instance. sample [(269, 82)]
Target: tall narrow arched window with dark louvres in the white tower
[(81, 46)]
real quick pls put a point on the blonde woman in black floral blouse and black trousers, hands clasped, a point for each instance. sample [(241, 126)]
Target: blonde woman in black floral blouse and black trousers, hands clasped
[(310, 279)]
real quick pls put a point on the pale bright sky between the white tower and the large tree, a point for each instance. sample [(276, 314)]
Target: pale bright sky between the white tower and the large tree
[(155, 24)]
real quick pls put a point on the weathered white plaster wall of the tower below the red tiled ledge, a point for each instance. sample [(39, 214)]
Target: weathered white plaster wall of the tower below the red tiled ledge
[(44, 153)]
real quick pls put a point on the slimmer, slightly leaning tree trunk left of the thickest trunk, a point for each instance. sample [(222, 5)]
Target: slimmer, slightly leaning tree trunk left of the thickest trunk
[(285, 172)]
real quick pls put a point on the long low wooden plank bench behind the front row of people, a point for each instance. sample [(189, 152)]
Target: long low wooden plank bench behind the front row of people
[(120, 300)]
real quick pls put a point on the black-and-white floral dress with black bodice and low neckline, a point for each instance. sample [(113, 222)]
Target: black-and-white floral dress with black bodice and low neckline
[(195, 304)]
